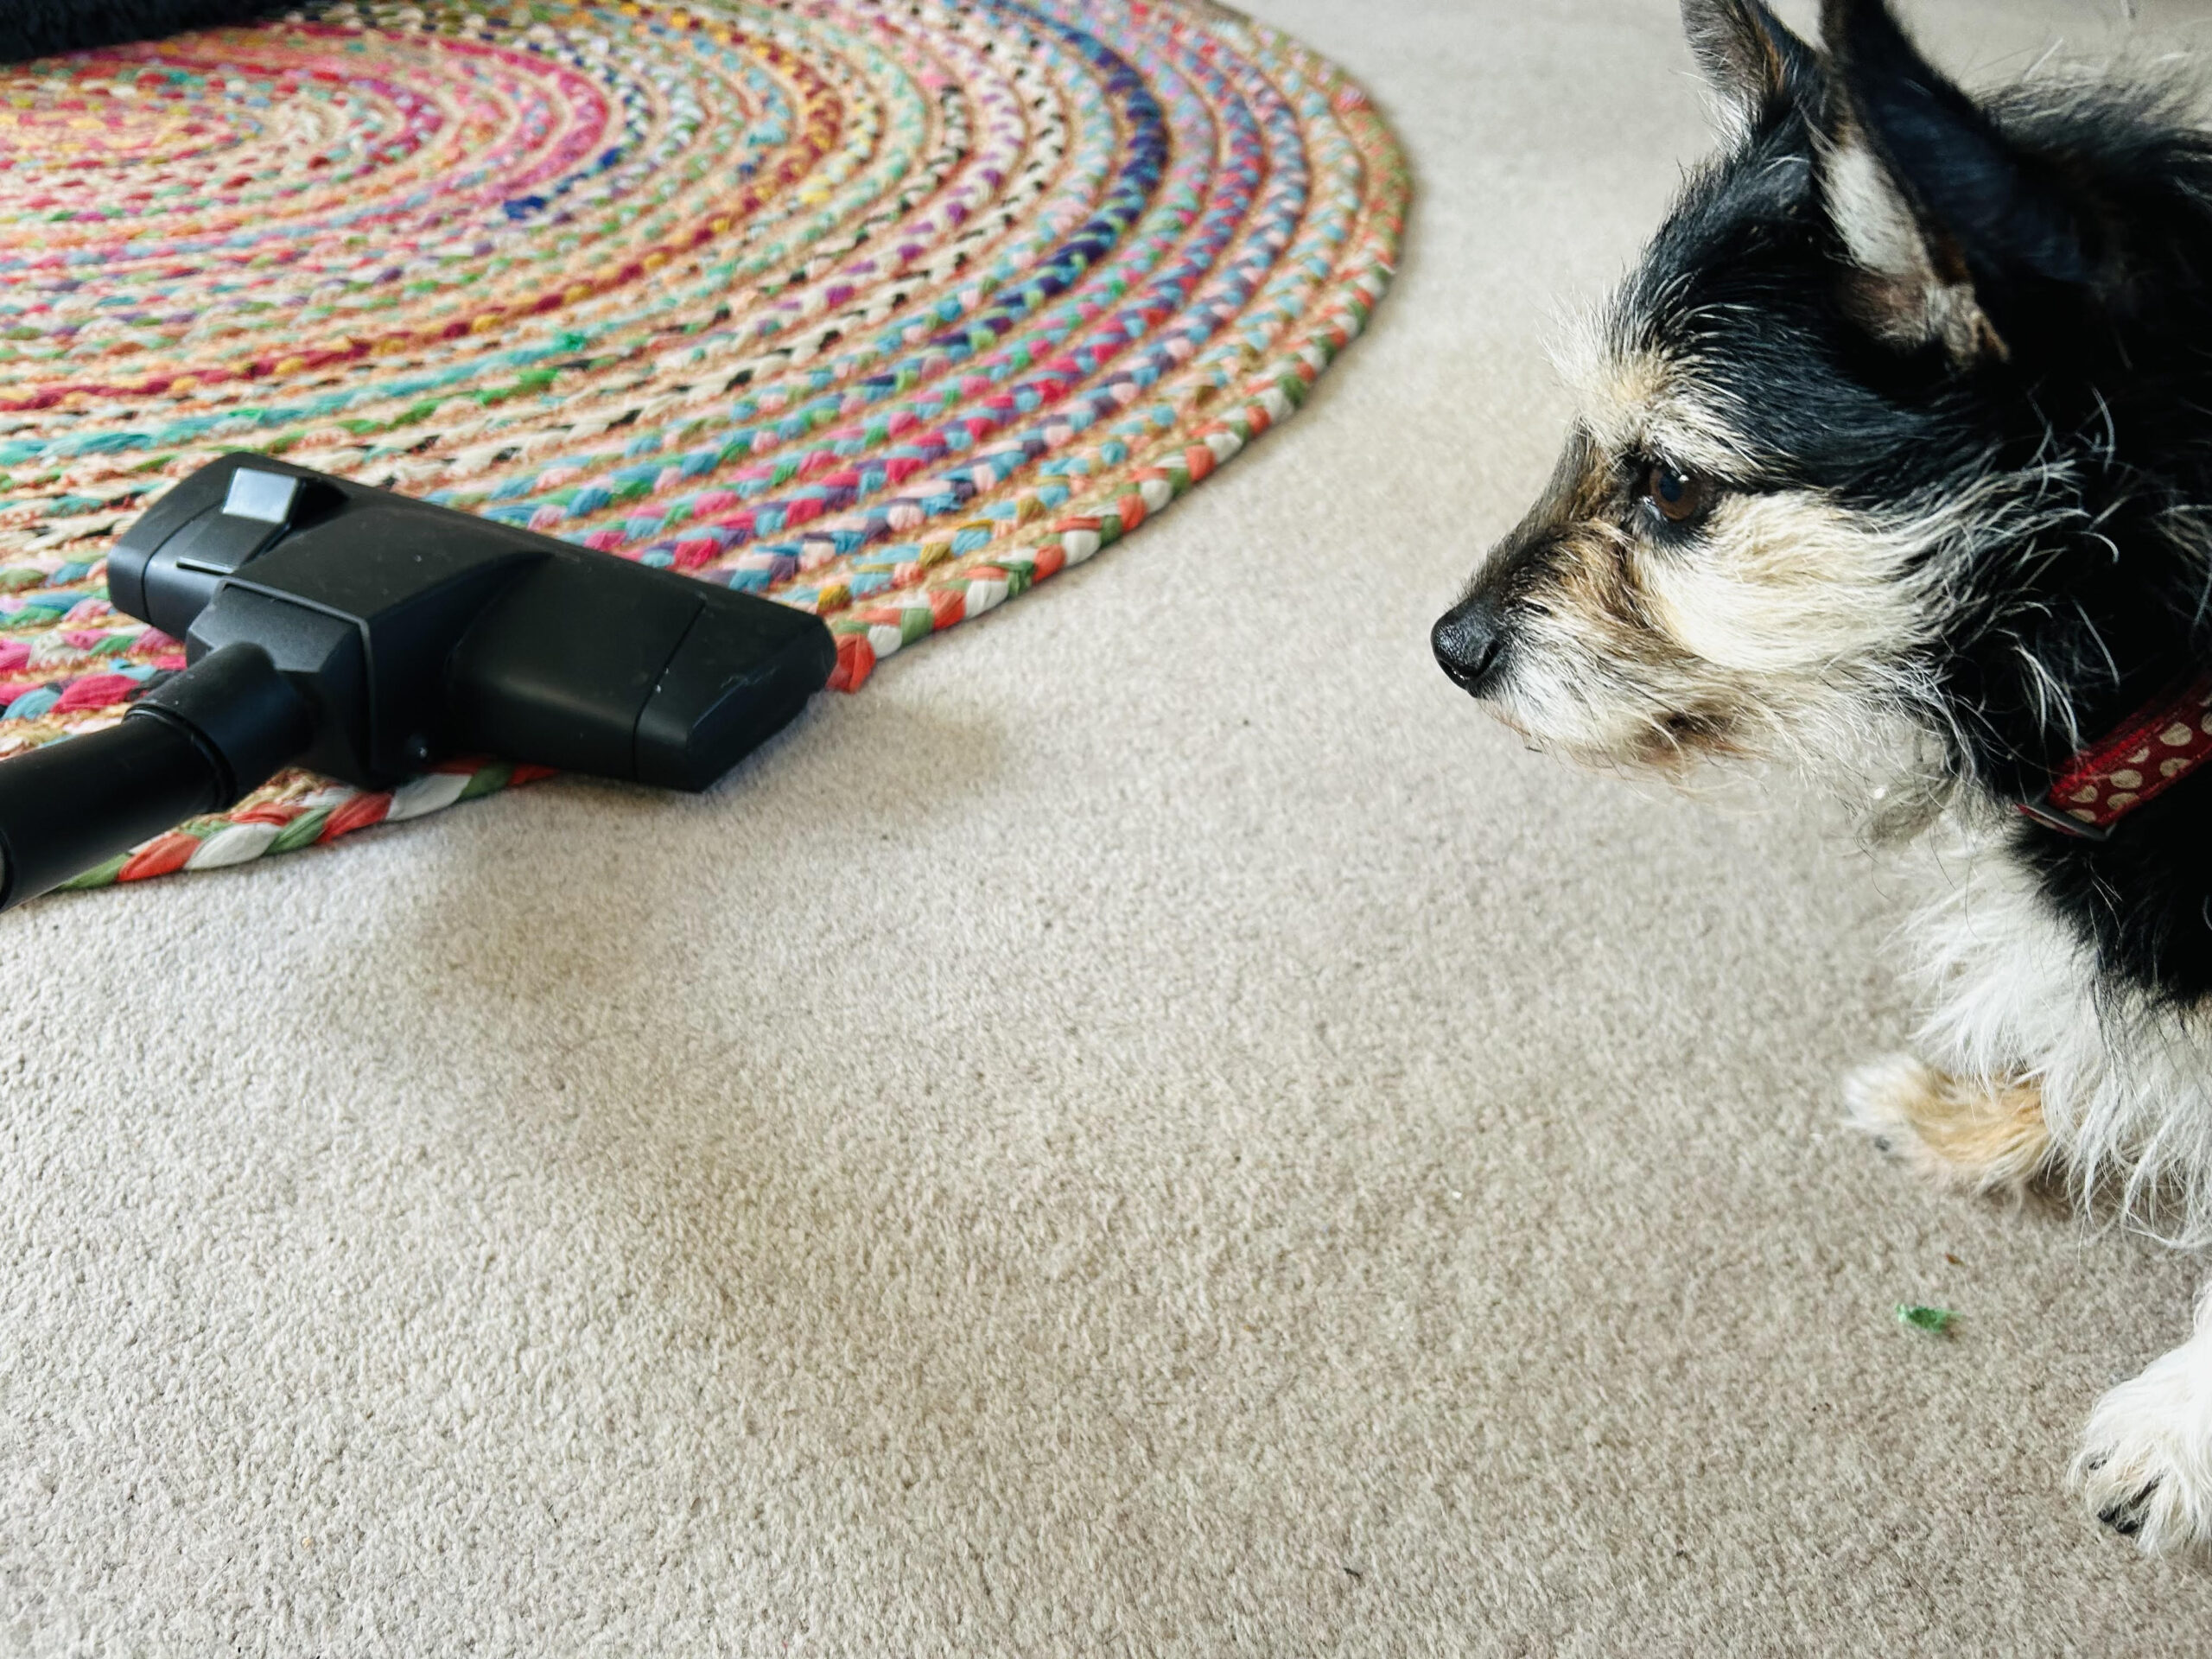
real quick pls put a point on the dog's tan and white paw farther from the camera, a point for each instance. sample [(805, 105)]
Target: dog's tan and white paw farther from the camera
[(1983, 1136)]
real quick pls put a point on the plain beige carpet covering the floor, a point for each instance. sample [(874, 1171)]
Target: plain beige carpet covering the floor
[(1151, 1131)]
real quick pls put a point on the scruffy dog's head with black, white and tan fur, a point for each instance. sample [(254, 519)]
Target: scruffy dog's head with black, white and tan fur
[(1833, 379)]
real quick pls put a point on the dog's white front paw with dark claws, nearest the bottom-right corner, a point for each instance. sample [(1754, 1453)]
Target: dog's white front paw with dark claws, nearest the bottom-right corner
[(2147, 1459)]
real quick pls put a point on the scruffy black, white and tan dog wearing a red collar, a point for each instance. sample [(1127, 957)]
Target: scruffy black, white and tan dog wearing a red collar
[(1895, 466)]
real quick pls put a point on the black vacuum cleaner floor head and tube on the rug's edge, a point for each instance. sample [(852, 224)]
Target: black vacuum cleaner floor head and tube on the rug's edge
[(366, 636)]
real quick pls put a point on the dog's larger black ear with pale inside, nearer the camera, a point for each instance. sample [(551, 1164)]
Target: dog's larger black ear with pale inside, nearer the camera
[(1941, 213)]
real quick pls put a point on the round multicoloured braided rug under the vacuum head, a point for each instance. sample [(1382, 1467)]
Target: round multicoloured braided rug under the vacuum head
[(886, 311)]
